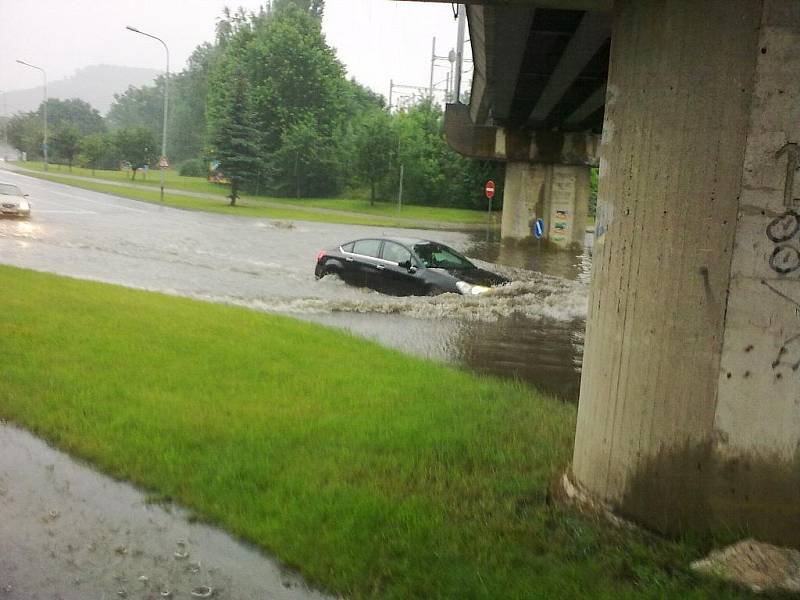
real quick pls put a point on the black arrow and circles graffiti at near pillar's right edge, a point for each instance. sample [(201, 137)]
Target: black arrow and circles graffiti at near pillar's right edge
[(783, 229)]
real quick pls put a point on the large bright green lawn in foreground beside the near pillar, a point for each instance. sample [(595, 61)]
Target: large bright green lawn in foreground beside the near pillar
[(376, 474)]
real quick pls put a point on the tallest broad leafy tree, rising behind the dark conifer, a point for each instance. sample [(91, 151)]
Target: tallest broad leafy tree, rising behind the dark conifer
[(295, 92)]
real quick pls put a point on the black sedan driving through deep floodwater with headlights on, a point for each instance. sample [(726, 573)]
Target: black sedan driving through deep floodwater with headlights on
[(405, 267)]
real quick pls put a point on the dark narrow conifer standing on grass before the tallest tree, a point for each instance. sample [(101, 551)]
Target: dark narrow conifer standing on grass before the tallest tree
[(233, 138)]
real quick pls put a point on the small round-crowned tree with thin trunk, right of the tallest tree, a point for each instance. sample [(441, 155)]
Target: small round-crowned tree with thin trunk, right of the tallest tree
[(375, 142)]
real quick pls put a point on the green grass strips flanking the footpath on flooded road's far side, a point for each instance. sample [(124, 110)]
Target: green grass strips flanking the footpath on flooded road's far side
[(382, 213)]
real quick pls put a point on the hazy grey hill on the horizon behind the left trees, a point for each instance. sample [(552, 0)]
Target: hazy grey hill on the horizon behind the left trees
[(96, 84)]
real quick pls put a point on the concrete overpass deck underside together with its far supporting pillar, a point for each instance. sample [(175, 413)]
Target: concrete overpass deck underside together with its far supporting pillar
[(537, 103)]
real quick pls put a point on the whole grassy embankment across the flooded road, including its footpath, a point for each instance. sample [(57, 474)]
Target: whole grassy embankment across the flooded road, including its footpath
[(361, 213)]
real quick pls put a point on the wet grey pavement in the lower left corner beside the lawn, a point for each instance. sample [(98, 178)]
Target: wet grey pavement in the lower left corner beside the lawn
[(69, 533)]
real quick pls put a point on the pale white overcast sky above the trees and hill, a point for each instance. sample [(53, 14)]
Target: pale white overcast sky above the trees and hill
[(377, 40)]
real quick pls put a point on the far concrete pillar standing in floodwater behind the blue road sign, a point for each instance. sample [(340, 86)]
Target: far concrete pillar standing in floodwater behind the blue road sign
[(558, 194)]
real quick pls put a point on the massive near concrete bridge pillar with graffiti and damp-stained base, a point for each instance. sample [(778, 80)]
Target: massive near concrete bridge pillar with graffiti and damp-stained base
[(689, 412)]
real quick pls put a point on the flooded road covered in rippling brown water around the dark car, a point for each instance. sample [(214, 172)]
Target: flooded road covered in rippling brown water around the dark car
[(531, 329)]
